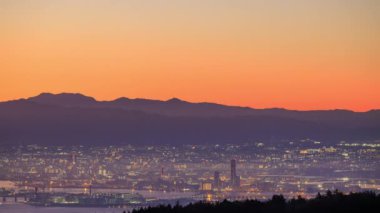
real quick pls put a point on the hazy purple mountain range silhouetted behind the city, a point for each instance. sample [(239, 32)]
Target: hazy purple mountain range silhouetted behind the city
[(68, 119)]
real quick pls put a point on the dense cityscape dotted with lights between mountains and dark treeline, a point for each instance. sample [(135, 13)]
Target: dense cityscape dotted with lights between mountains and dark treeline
[(207, 172)]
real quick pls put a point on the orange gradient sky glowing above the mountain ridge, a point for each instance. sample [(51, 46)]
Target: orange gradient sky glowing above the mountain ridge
[(292, 54)]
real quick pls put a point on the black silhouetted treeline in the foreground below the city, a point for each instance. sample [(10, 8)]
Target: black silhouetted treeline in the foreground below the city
[(329, 202)]
